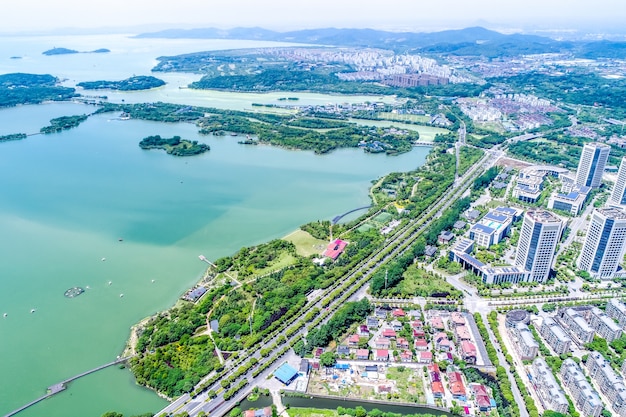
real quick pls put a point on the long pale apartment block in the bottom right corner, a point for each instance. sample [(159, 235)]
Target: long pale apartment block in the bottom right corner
[(610, 382)]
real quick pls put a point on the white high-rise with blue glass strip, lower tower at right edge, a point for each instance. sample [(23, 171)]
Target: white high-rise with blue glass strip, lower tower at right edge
[(604, 243)]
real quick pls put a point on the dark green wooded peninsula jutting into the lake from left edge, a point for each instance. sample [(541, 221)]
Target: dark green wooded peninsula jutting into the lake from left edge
[(20, 88)]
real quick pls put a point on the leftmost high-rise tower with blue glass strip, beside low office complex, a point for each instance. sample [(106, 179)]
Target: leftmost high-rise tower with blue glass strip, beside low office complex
[(539, 235)]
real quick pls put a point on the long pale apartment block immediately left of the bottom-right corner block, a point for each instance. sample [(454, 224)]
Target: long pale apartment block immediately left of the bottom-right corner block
[(584, 396)]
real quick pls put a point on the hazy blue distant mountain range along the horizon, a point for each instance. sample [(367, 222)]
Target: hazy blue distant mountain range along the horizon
[(474, 41)]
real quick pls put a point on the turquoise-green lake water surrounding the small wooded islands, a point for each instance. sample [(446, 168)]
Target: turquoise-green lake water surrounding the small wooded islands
[(67, 198)]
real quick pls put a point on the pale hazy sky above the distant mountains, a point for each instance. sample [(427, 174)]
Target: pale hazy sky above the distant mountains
[(29, 15)]
